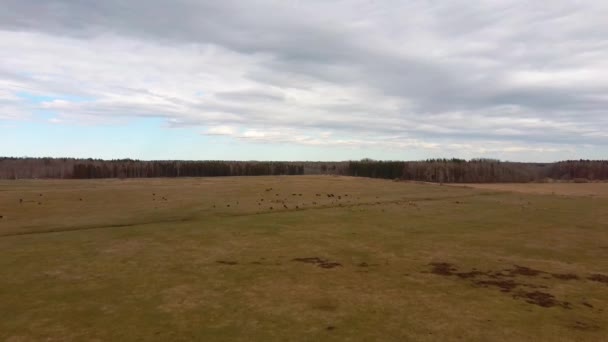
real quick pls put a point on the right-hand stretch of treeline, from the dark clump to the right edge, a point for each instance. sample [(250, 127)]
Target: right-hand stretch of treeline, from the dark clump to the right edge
[(480, 170)]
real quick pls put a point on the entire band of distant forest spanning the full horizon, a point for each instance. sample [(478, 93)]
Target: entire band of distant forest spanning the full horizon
[(433, 170)]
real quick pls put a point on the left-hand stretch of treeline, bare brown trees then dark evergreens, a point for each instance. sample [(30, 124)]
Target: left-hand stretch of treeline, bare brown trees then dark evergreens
[(17, 168)]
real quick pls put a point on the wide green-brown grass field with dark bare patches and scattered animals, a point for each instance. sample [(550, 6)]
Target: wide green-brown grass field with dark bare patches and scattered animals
[(301, 258)]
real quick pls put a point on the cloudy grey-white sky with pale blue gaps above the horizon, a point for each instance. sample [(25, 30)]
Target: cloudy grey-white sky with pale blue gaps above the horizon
[(304, 79)]
